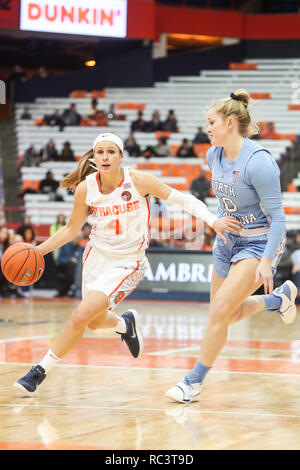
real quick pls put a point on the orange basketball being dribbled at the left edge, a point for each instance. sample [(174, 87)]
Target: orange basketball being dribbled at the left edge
[(22, 264)]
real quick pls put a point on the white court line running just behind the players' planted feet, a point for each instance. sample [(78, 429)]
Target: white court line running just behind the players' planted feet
[(159, 369)]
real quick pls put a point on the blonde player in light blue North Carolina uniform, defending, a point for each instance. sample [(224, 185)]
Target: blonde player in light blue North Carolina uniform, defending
[(245, 179)]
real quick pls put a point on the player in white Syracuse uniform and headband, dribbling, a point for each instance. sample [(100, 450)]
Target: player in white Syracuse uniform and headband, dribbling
[(115, 202)]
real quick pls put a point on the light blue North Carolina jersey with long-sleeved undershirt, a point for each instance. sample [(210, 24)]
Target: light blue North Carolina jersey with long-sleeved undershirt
[(249, 189)]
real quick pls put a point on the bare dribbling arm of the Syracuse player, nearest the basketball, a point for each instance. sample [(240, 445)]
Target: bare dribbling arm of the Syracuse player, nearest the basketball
[(72, 228)]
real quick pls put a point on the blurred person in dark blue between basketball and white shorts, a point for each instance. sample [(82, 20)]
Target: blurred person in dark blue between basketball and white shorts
[(68, 257)]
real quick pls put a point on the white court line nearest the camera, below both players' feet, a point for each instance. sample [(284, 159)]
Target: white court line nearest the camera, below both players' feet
[(121, 408)]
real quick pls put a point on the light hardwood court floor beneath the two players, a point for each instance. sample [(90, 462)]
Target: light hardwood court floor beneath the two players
[(101, 398)]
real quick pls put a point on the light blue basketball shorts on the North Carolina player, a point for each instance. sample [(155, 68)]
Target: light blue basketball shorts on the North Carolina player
[(238, 248)]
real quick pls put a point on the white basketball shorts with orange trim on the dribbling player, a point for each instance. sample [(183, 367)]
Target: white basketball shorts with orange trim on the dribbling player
[(115, 277)]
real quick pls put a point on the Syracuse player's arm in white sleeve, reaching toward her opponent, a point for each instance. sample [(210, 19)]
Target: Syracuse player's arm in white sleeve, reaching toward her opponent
[(149, 184)]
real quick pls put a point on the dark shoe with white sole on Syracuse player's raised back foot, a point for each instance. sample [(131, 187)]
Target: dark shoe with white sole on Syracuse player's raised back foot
[(133, 336)]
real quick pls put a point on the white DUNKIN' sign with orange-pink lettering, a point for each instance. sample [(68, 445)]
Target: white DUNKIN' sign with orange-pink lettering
[(92, 18)]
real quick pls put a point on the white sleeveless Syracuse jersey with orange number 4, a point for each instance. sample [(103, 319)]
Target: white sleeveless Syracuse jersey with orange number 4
[(120, 220)]
